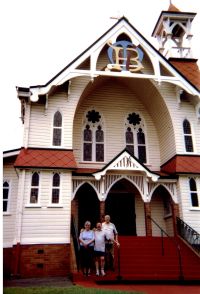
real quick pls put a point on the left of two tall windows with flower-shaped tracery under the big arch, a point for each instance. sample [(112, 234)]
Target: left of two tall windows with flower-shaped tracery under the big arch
[(93, 137)]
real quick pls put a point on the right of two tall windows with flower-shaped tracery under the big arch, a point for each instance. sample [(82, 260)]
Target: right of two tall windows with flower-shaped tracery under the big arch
[(135, 136)]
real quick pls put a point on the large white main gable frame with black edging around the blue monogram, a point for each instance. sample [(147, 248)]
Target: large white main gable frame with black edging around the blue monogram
[(123, 26)]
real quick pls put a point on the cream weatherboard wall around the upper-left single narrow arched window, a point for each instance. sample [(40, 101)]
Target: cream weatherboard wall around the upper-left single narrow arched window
[(41, 120)]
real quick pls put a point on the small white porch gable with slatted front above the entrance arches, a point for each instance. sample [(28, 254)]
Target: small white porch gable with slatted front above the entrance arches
[(126, 161)]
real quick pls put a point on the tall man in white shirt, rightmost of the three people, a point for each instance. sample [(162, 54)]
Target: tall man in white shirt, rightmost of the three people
[(111, 238)]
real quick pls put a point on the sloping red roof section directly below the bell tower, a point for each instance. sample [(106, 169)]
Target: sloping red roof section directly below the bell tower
[(189, 68)]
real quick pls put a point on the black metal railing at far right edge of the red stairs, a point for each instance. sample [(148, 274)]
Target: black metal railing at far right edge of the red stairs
[(191, 236)]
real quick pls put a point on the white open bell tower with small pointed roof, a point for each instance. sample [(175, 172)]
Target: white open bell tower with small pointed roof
[(173, 32)]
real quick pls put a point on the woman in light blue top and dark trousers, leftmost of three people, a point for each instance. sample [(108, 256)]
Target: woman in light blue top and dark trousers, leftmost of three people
[(86, 240)]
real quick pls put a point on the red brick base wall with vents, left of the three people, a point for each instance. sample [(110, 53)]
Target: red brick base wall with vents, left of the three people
[(41, 260)]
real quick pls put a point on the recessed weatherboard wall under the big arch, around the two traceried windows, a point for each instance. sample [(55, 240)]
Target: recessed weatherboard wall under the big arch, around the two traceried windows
[(114, 102)]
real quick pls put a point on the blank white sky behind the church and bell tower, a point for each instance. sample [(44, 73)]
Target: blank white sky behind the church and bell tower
[(40, 37)]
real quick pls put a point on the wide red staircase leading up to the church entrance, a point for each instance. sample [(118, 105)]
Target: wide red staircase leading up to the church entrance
[(151, 259)]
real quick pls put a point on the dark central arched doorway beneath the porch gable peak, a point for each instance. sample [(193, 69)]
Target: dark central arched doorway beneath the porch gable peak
[(120, 205)]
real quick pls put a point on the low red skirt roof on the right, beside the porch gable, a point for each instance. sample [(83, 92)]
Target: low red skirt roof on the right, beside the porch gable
[(182, 164)]
